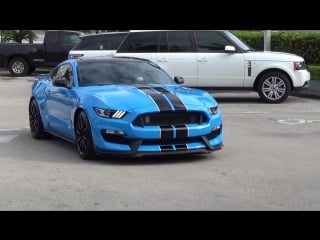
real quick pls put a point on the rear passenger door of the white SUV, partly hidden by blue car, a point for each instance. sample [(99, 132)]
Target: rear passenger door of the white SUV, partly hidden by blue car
[(177, 55)]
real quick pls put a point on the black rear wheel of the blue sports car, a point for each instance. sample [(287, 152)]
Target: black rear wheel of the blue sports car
[(35, 121)]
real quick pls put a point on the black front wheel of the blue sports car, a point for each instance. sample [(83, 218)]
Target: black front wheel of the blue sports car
[(84, 140)]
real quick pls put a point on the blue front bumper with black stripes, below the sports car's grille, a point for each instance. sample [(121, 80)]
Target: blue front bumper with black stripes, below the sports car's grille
[(155, 140)]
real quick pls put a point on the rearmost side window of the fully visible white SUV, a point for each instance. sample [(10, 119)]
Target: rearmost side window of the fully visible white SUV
[(140, 42)]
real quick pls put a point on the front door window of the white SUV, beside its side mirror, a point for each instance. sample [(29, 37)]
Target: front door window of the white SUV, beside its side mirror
[(210, 41)]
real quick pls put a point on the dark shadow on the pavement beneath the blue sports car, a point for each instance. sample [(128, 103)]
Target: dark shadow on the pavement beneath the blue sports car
[(60, 151)]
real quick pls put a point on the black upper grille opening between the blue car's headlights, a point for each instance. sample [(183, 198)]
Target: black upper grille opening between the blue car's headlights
[(169, 118)]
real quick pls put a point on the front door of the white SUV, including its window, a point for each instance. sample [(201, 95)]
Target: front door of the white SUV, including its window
[(216, 67)]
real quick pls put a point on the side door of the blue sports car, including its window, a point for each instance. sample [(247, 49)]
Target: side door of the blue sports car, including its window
[(60, 103)]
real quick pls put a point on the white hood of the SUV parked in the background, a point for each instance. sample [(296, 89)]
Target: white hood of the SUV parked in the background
[(272, 56)]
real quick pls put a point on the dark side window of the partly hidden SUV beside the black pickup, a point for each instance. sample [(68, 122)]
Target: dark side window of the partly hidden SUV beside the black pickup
[(100, 42)]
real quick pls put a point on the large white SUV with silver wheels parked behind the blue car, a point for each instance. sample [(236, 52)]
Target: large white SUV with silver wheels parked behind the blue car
[(218, 60)]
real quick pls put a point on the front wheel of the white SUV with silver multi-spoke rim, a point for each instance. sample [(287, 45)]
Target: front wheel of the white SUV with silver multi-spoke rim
[(274, 87)]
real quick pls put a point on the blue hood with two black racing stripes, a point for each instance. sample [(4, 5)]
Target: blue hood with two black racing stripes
[(151, 98)]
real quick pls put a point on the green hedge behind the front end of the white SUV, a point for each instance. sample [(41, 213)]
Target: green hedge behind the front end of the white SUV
[(305, 44)]
